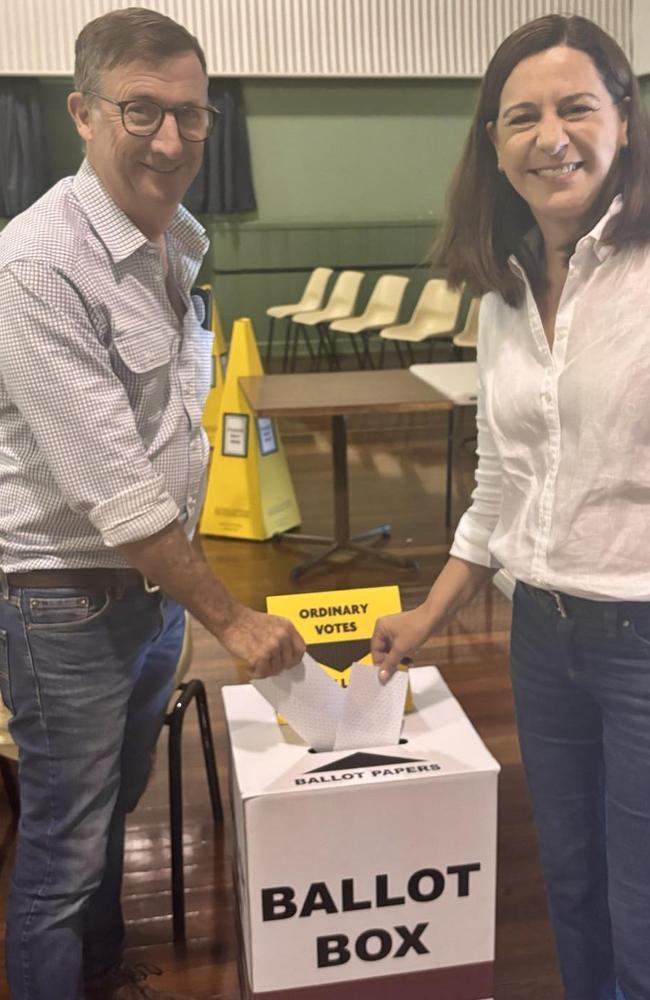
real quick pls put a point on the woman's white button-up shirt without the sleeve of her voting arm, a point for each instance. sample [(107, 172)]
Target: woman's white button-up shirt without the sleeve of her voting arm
[(562, 498)]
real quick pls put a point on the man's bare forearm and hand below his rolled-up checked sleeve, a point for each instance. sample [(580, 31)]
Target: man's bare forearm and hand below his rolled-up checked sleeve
[(268, 643)]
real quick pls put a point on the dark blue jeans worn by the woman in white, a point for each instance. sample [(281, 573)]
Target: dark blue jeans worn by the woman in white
[(582, 696)]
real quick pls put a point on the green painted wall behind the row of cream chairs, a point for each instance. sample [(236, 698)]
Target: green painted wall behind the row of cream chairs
[(346, 173)]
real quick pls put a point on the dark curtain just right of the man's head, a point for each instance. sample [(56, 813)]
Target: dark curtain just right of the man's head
[(225, 182)]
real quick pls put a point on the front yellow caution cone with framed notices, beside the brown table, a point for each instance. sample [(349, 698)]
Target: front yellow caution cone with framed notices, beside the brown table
[(250, 493)]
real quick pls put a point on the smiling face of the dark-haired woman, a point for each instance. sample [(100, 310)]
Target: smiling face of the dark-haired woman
[(557, 135)]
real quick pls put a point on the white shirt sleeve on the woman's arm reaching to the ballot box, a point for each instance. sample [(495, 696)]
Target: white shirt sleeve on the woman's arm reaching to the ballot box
[(475, 528)]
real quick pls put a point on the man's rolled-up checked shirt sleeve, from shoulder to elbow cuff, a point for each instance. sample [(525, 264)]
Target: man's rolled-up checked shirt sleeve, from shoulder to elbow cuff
[(58, 375)]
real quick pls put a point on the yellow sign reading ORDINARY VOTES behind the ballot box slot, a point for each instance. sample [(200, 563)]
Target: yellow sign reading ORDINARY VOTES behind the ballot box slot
[(337, 625)]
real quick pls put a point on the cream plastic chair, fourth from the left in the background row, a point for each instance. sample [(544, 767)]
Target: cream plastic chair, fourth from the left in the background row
[(435, 317)]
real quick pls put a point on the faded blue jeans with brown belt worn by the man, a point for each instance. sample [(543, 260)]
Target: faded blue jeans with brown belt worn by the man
[(88, 677)]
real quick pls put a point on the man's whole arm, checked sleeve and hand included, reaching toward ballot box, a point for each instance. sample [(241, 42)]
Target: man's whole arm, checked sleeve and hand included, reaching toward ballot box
[(59, 376)]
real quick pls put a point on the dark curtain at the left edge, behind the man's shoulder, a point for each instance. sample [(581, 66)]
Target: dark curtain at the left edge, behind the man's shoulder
[(22, 145)]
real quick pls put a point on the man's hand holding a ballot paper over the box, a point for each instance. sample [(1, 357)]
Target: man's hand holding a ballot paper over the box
[(268, 643)]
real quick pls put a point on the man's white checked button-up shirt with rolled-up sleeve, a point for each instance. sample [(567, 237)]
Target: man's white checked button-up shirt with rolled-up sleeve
[(101, 385)]
